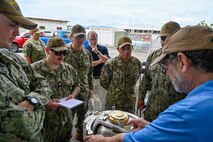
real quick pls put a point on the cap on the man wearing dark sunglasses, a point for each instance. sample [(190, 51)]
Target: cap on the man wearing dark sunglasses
[(57, 44)]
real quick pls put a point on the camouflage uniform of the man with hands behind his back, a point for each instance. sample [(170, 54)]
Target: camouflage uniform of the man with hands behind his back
[(119, 80)]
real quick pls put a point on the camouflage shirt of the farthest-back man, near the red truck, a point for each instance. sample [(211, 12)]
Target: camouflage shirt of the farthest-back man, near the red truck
[(34, 49)]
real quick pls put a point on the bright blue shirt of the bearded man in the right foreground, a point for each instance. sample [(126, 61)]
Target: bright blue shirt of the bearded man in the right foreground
[(189, 120)]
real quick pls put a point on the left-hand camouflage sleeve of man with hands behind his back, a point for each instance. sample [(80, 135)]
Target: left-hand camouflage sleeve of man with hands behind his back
[(106, 75)]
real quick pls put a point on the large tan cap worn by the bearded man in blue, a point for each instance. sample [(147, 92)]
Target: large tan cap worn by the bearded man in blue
[(190, 38)]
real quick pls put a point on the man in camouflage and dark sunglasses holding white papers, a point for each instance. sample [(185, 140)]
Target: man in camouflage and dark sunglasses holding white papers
[(64, 82)]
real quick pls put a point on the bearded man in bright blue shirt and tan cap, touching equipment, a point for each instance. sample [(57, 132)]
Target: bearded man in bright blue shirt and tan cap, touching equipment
[(187, 59)]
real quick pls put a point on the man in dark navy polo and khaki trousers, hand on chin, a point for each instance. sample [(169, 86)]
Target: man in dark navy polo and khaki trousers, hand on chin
[(100, 56)]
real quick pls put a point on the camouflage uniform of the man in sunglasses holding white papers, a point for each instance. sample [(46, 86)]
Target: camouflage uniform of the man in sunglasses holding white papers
[(58, 123)]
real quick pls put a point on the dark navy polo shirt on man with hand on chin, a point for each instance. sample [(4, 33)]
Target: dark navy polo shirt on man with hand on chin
[(104, 51)]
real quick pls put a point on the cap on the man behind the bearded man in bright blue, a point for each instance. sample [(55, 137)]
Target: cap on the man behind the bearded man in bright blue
[(168, 28)]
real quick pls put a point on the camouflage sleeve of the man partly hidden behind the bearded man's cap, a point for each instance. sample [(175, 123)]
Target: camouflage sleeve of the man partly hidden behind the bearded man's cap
[(145, 82)]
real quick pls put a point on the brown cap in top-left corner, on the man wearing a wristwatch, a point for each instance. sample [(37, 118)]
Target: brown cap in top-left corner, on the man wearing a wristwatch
[(11, 9)]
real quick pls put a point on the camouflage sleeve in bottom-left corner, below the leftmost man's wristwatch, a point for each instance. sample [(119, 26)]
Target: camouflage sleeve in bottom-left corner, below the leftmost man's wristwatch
[(18, 123)]
